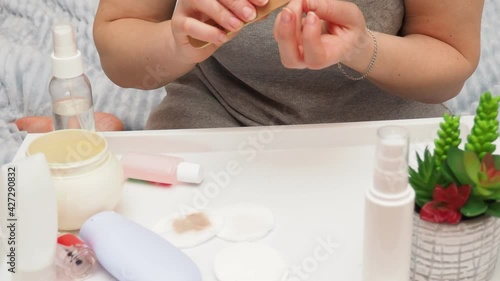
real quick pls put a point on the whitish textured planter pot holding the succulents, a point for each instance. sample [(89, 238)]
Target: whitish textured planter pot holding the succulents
[(467, 251)]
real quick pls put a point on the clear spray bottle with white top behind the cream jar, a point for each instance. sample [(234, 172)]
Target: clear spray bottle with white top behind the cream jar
[(70, 89)]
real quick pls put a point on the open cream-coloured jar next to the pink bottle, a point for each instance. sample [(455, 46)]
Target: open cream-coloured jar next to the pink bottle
[(87, 178)]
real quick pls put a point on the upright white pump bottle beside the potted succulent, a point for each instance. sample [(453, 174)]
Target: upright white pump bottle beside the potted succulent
[(389, 207)]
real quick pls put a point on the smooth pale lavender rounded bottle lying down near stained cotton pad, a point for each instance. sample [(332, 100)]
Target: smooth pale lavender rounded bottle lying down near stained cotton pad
[(131, 252)]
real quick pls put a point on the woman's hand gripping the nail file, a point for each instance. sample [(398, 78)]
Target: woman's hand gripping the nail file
[(191, 16)]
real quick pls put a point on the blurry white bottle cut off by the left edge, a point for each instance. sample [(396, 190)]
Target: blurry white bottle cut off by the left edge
[(28, 214)]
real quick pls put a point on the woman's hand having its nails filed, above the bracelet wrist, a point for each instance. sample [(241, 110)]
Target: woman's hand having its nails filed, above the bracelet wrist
[(331, 32)]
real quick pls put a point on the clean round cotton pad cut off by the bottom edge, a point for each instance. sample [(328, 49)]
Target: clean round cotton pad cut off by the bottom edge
[(249, 262)]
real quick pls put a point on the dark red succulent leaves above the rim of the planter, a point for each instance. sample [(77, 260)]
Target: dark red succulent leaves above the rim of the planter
[(446, 204)]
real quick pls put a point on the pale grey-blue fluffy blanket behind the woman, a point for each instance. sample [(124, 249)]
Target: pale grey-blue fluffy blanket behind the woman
[(25, 67)]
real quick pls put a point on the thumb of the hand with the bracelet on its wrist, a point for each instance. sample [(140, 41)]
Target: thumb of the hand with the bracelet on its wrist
[(342, 13)]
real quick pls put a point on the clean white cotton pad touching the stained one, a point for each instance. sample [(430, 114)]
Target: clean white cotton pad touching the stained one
[(245, 222)]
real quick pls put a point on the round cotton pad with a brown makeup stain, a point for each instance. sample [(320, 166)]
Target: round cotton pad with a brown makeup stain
[(189, 230)]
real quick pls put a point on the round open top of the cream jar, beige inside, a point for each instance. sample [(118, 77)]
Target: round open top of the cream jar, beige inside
[(72, 148)]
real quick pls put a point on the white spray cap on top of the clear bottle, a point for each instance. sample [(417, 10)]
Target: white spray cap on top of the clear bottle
[(66, 58)]
